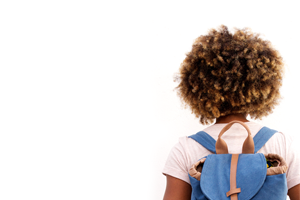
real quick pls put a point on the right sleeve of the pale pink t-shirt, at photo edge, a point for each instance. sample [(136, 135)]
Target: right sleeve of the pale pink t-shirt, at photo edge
[(293, 162)]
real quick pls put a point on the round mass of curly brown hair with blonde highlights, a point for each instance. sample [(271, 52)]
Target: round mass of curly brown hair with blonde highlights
[(229, 73)]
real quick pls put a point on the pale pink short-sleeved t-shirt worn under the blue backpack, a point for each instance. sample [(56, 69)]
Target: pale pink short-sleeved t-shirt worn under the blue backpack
[(187, 151)]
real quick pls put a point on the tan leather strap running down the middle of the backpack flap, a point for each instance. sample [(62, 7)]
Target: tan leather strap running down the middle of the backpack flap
[(233, 169)]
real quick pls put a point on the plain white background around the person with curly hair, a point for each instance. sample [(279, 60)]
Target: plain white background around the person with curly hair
[(87, 107)]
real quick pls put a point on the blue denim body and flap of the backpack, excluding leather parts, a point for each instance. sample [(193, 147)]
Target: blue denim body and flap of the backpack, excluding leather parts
[(251, 178)]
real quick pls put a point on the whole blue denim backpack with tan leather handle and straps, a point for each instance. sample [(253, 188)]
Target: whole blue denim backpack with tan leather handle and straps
[(250, 175)]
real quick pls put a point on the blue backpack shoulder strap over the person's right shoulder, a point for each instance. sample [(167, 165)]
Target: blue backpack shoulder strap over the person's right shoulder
[(262, 137)]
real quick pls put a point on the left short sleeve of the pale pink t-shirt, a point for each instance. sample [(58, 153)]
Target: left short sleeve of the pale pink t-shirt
[(176, 163)]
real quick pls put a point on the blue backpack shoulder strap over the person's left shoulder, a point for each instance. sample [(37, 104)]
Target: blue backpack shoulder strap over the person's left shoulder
[(205, 140)]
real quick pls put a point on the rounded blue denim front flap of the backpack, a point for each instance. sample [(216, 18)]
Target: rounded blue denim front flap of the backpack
[(250, 176)]
